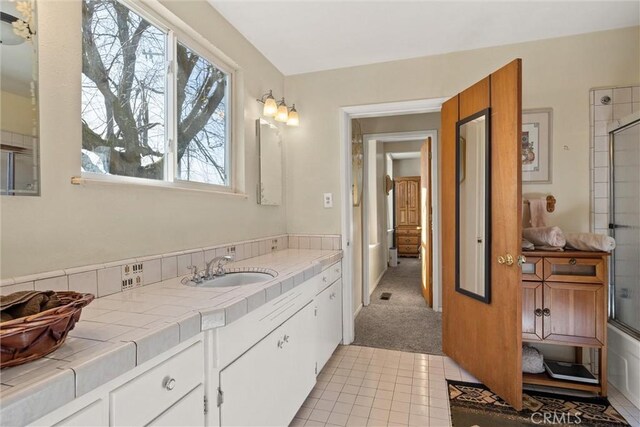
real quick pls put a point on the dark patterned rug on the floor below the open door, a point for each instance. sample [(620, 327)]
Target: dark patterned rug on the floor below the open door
[(474, 404)]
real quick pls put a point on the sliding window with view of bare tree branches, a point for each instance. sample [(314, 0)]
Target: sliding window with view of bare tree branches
[(152, 107)]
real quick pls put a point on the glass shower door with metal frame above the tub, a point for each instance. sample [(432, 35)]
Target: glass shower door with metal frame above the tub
[(624, 223)]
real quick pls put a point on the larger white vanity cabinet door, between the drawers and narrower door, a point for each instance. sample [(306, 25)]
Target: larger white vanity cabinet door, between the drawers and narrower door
[(267, 385)]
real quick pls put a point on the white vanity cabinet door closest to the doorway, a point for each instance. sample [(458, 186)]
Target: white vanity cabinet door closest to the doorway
[(329, 322)]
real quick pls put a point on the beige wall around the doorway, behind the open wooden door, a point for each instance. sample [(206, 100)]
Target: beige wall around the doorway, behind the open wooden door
[(557, 73)]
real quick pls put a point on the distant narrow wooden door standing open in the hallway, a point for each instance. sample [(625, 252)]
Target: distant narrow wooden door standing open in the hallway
[(426, 222)]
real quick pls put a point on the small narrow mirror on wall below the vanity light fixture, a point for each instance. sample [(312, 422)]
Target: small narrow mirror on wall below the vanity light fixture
[(270, 148)]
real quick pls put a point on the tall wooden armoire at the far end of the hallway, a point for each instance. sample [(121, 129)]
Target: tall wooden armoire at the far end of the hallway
[(407, 212)]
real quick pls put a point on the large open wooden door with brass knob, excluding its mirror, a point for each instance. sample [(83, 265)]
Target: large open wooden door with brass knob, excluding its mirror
[(486, 339)]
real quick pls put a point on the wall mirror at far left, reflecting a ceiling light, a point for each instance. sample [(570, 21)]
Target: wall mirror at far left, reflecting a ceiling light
[(19, 136)]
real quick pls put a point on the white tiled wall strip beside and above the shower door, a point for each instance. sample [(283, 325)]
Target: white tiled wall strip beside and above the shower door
[(606, 105)]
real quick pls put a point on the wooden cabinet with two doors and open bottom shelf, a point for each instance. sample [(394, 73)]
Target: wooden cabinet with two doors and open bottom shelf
[(564, 302)]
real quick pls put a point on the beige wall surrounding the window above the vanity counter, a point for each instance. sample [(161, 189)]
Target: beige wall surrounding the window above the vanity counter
[(78, 225)]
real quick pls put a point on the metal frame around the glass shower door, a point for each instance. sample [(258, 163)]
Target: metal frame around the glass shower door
[(613, 128)]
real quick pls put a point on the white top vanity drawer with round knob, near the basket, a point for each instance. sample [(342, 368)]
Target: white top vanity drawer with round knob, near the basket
[(150, 394)]
